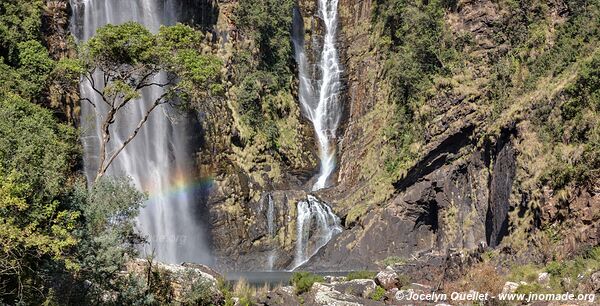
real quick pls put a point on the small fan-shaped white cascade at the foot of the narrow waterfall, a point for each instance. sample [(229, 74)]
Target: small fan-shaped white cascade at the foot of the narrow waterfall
[(316, 225)]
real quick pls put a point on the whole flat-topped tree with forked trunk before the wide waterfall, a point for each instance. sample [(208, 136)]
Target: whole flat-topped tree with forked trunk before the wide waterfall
[(122, 60)]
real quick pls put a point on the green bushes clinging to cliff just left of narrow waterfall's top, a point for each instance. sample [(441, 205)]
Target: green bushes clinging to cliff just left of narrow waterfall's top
[(263, 74)]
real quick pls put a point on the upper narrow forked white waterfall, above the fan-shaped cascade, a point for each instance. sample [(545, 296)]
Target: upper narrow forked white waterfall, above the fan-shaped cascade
[(323, 106)]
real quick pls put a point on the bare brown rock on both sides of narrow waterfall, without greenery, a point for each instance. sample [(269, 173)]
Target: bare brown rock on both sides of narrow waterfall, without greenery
[(462, 191)]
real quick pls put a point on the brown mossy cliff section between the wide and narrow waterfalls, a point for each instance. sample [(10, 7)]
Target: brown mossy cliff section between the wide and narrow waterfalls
[(243, 168)]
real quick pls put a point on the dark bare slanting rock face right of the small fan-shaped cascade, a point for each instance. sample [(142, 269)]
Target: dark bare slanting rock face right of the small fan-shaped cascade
[(438, 206)]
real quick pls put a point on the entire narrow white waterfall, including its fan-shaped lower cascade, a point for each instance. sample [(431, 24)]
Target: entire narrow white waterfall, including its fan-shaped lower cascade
[(316, 223)]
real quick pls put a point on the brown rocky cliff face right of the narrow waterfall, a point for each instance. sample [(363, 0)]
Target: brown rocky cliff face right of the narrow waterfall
[(470, 184)]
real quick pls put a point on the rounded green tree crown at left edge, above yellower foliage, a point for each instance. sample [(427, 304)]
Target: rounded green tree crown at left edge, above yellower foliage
[(35, 146)]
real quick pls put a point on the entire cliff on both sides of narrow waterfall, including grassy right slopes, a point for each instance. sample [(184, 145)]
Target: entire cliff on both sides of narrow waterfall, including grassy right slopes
[(472, 175)]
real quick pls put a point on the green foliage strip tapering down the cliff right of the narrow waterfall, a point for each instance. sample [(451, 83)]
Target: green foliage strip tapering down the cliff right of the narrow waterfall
[(418, 49)]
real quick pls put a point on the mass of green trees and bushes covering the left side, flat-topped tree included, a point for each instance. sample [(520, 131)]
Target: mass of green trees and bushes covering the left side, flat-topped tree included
[(63, 241)]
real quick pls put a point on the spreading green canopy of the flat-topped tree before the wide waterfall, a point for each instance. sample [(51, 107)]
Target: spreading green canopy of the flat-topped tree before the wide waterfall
[(131, 56)]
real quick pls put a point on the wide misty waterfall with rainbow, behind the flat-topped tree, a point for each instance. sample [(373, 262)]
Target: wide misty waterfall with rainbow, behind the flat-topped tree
[(159, 159)]
